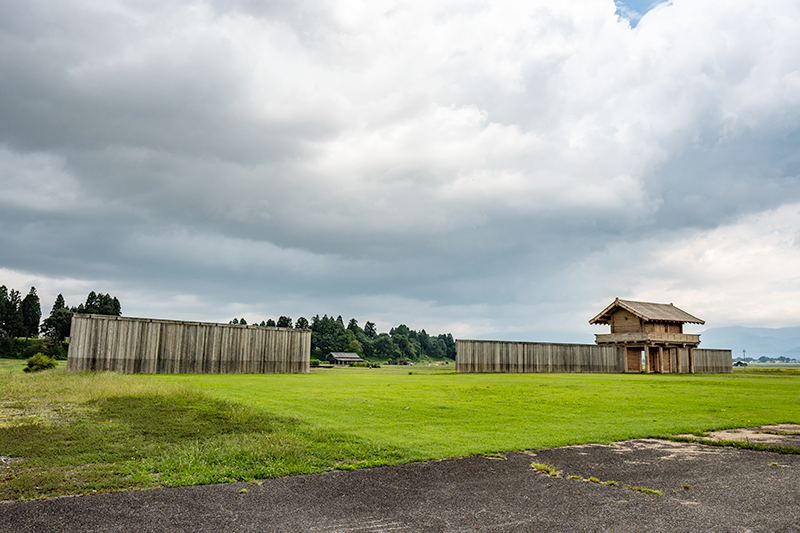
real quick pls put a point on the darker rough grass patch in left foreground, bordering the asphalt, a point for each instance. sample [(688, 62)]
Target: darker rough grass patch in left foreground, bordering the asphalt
[(127, 442)]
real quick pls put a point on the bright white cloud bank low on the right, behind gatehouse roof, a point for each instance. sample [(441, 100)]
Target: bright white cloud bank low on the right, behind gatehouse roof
[(740, 273)]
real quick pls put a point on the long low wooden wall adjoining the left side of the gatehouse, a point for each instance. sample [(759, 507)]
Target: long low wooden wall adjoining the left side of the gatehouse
[(504, 356)]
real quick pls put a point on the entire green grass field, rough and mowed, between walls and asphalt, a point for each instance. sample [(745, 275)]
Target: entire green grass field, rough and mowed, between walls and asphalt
[(64, 433)]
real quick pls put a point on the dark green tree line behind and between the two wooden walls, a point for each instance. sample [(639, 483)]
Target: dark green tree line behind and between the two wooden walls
[(329, 335)]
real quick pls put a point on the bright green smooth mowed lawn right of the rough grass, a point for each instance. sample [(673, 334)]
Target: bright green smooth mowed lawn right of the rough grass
[(433, 413)]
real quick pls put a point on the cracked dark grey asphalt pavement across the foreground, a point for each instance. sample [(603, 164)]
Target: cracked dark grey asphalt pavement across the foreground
[(703, 488)]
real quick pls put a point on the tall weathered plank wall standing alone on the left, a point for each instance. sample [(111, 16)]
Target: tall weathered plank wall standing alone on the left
[(148, 346)]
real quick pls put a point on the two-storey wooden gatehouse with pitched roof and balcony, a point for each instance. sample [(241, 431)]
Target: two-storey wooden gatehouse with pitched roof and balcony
[(652, 329)]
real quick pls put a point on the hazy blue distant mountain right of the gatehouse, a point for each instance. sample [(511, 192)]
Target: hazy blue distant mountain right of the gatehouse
[(772, 342)]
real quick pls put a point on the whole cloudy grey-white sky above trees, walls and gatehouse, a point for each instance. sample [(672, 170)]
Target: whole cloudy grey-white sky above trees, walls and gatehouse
[(491, 169)]
